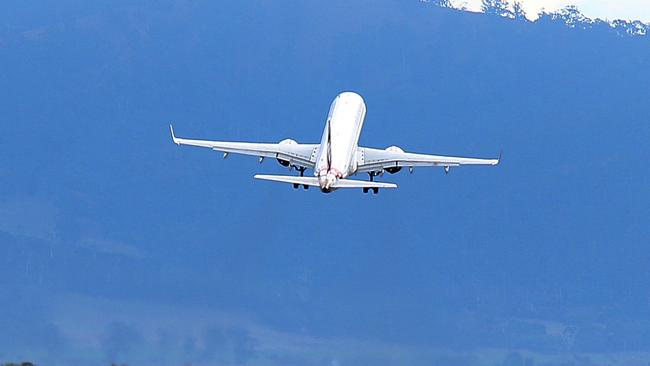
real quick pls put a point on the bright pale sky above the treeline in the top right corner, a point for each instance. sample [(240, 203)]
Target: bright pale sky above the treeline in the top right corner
[(603, 9)]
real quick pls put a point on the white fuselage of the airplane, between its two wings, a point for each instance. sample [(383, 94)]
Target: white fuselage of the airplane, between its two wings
[(336, 157)]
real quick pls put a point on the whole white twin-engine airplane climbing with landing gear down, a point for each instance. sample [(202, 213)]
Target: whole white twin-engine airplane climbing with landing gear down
[(338, 155)]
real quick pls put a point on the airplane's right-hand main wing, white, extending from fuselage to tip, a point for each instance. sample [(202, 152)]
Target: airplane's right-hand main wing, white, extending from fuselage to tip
[(377, 159)]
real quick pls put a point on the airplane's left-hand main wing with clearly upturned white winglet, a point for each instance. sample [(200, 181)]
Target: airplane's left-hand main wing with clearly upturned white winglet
[(302, 155)]
